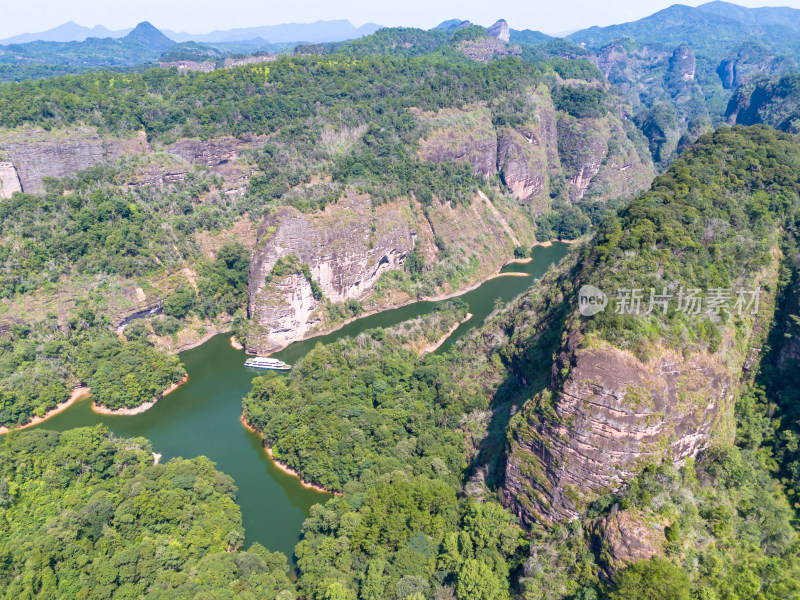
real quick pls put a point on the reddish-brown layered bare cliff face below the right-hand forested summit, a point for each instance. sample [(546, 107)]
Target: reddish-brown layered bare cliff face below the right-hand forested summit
[(612, 414)]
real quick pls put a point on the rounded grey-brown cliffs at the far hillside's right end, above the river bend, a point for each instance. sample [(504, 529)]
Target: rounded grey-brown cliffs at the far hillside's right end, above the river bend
[(595, 156)]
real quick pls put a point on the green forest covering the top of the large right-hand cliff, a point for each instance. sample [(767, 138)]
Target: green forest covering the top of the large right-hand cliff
[(746, 179)]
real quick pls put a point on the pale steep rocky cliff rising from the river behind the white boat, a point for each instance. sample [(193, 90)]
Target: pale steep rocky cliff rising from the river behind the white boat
[(350, 245)]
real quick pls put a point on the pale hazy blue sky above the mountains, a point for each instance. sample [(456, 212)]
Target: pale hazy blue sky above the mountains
[(201, 16)]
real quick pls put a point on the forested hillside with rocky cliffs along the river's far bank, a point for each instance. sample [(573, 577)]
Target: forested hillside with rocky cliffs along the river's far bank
[(150, 227)]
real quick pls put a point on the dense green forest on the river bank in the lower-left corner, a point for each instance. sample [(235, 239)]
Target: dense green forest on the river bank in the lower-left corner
[(86, 515)]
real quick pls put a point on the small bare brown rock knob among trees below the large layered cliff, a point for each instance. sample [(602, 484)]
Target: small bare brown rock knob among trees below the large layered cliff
[(627, 536)]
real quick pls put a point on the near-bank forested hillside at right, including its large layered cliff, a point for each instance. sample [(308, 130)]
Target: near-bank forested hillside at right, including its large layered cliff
[(721, 519)]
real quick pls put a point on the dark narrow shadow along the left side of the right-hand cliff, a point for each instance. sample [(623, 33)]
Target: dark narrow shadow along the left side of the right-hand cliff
[(529, 371)]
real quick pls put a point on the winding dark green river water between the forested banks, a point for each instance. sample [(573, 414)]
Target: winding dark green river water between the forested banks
[(202, 416)]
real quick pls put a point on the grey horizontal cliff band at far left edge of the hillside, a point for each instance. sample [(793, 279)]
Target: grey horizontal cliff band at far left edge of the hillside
[(37, 153)]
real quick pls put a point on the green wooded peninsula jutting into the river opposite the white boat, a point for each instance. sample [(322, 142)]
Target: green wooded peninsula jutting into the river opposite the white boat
[(355, 410)]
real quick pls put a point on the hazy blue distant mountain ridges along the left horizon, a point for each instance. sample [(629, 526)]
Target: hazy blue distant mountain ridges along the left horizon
[(317, 32)]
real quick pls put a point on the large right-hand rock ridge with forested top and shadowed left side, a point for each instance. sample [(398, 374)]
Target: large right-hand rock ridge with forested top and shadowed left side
[(626, 389)]
